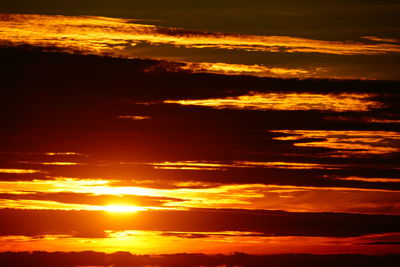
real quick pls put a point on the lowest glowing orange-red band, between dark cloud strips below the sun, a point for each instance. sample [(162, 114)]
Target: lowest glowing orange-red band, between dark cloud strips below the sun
[(194, 242)]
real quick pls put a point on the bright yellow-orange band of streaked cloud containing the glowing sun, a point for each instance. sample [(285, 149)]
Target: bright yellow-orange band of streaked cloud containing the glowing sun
[(75, 194)]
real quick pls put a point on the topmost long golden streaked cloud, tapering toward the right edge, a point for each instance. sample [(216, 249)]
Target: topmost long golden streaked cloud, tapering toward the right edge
[(101, 34)]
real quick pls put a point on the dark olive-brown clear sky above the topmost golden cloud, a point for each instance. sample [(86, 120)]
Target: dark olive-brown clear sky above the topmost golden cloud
[(341, 19)]
